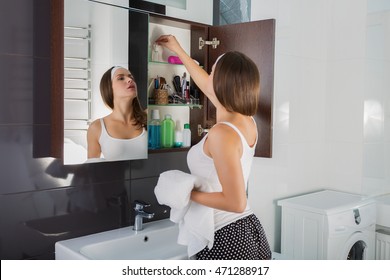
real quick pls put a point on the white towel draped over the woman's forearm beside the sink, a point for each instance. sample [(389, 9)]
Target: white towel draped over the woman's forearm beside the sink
[(196, 222)]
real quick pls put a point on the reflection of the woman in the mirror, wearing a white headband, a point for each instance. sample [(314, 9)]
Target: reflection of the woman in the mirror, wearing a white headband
[(120, 135)]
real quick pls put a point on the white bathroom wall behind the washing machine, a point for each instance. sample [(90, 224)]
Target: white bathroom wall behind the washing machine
[(331, 103)]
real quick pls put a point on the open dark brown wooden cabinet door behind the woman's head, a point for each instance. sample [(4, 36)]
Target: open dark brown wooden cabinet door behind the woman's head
[(257, 40)]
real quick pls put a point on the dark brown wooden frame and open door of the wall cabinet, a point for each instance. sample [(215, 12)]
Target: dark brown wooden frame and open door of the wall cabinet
[(255, 39)]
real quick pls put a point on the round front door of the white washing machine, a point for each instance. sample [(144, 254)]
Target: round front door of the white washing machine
[(360, 246)]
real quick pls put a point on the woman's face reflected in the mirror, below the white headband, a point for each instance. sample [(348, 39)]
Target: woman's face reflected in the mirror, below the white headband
[(123, 85)]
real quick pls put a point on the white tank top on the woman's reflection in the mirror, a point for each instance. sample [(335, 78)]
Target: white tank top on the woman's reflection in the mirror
[(123, 149)]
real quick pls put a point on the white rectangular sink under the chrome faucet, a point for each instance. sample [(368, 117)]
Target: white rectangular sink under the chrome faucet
[(157, 241)]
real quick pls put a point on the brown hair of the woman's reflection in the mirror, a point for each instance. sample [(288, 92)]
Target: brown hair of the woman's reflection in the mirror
[(139, 114)]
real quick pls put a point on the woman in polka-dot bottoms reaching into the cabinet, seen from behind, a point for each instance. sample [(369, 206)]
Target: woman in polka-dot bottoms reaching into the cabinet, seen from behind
[(224, 156)]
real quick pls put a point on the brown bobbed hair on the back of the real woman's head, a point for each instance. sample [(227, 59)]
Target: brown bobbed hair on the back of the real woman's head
[(236, 83)]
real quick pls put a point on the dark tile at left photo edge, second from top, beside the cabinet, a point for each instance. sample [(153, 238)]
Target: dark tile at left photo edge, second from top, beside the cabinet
[(16, 79)]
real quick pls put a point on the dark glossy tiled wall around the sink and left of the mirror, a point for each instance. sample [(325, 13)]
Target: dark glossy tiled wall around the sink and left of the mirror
[(41, 200)]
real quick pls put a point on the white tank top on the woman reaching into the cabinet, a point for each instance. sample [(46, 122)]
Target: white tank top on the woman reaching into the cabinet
[(202, 165)]
